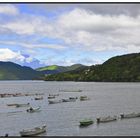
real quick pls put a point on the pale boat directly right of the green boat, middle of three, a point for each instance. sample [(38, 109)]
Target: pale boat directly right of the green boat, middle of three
[(106, 119)]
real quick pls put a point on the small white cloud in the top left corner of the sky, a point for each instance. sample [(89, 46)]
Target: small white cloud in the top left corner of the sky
[(8, 9)]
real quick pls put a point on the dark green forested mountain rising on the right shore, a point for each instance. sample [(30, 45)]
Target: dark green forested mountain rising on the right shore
[(125, 68)]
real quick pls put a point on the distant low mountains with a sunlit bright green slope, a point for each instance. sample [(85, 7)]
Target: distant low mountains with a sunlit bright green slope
[(54, 69)]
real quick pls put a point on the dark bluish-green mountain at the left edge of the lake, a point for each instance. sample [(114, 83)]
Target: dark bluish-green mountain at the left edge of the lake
[(12, 71)]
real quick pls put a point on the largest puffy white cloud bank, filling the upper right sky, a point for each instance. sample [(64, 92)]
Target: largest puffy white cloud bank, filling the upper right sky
[(98, 32)]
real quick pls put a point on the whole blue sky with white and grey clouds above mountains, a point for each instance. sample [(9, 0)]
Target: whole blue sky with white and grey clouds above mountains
[(39, 35)]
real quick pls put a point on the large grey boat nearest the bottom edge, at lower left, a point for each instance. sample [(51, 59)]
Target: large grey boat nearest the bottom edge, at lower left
[(33, 132)]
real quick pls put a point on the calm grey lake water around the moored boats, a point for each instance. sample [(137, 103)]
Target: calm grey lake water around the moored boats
[(63, 119)]
